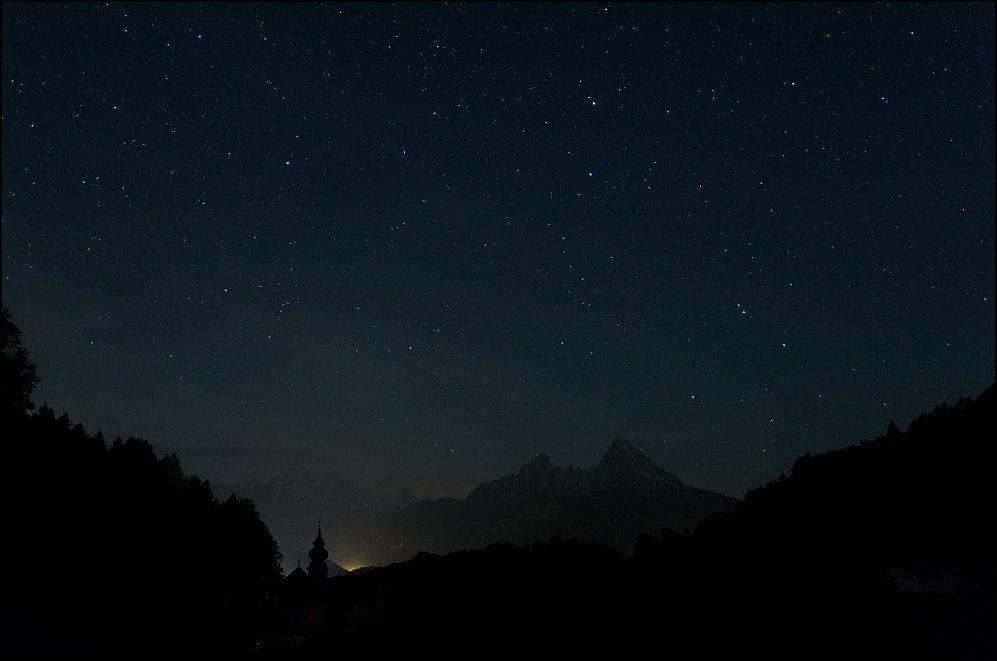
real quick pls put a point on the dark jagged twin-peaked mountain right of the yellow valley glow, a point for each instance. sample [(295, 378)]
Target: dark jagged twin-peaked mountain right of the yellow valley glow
[(623, 495)]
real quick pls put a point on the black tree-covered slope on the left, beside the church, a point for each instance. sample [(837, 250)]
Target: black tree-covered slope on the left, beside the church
[(113, 551)]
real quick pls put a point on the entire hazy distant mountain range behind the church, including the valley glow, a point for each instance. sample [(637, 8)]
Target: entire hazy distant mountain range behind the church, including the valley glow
[(623, 495)]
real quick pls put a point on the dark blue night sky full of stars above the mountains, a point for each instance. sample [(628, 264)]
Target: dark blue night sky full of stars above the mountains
[(415, 246)]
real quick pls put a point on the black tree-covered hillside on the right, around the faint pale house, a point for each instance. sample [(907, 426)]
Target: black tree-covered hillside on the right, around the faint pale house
[(803, 561)]
